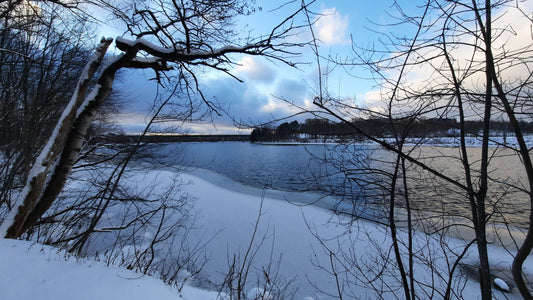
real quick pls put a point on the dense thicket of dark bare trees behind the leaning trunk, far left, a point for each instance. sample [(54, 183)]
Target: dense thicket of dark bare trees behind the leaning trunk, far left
[(41, 56)]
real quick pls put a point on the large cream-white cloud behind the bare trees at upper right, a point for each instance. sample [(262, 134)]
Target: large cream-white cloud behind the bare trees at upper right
[(428, 70)]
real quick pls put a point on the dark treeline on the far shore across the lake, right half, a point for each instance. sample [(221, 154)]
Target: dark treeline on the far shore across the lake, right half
[(313, 129)]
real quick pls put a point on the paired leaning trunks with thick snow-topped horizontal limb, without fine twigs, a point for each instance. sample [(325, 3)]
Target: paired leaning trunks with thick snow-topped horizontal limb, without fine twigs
[(51, 168)]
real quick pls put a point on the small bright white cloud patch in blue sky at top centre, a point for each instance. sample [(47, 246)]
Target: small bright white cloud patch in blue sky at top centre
[(332, 28)]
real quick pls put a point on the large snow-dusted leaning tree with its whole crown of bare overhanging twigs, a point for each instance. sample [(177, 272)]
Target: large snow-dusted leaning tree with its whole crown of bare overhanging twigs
[(176, 40)]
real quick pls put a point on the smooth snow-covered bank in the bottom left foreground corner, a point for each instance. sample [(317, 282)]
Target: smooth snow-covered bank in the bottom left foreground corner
[(35, 271)]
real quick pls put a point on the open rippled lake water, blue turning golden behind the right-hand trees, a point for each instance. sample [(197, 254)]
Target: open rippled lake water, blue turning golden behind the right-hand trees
[(303, 168)]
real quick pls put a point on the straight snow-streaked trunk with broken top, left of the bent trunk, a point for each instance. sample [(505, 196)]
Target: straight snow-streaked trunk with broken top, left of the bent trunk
[(12, 226)]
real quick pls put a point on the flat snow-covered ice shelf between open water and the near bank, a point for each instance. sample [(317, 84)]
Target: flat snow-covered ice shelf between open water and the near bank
[(290, 237)]
